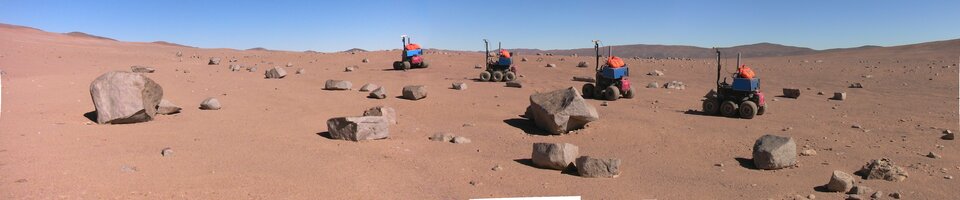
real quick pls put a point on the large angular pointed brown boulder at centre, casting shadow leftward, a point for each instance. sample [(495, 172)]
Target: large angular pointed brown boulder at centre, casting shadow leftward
[(560, 111)]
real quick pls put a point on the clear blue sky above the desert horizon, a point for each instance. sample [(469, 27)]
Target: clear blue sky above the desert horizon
[(461, 24)]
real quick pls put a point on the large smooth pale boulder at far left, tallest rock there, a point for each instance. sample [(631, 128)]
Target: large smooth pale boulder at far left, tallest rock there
[(125, 97)]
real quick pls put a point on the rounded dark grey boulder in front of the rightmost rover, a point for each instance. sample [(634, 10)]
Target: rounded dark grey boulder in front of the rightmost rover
[(774, 152)]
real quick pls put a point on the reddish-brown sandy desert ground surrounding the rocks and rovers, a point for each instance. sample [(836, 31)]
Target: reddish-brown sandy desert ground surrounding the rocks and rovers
[(266, 144)]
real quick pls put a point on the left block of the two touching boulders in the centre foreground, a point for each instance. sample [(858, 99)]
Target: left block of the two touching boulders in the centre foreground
[(554, 155)]
